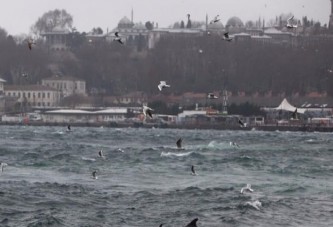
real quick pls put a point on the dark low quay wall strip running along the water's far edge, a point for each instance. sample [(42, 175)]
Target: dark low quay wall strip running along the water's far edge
[(300, 128)]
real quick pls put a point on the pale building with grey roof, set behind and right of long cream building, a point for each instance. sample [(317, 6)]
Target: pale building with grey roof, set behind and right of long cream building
[(66, 85)]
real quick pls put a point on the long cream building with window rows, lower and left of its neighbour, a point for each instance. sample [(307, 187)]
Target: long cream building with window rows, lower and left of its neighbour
[(33, 95)]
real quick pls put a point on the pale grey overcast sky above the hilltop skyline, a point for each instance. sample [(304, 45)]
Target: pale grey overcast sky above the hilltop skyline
[(17, 16)]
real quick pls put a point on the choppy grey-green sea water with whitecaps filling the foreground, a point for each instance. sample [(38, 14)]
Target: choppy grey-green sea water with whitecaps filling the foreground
[(145, 181)]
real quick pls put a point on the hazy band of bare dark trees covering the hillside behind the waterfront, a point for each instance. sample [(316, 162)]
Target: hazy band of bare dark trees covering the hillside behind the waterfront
[(188, 63)]
